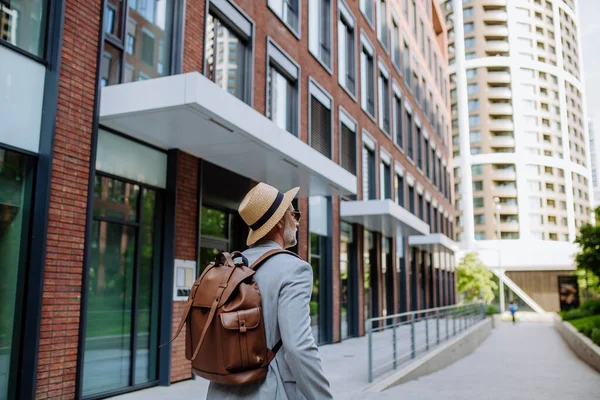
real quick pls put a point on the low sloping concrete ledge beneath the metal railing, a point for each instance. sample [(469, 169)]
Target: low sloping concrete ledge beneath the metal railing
[(441, 357)]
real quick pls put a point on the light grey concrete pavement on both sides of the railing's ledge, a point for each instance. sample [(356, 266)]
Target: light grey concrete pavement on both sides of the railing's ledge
[(528, 360)]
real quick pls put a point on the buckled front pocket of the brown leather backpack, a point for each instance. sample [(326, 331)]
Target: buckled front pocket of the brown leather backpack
[(243, 340)]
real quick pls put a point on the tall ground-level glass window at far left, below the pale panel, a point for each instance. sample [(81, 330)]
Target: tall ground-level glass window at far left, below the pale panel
[(16, 184)]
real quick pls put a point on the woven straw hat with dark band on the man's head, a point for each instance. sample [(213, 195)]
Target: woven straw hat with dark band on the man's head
[(262, 208)]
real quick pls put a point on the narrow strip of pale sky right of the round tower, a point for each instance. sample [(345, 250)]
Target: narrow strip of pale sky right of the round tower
[(589, 22)]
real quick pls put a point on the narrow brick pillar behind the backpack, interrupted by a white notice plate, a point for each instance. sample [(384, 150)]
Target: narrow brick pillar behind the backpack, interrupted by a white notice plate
[(186, 230)]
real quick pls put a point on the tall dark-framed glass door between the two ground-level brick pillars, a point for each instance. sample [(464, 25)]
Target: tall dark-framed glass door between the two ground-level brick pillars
[(122, 313)]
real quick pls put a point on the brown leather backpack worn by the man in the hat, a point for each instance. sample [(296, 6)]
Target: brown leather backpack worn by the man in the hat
[(225, 334)]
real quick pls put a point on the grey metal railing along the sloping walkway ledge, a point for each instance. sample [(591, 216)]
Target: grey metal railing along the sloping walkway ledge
[(395, 339)]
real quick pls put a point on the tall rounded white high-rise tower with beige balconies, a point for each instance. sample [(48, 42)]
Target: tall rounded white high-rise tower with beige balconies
[(520, 144)]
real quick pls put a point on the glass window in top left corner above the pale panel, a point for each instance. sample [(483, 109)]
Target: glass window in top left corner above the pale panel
[(23, 25)]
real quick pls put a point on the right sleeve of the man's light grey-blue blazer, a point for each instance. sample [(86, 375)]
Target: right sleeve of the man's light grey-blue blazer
[(300, 351)]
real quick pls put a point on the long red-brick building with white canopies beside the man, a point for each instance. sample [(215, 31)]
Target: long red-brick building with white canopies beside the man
[(132, 129)]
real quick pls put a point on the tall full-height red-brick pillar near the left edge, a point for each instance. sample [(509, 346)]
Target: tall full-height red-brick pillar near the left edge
[(61, 295)]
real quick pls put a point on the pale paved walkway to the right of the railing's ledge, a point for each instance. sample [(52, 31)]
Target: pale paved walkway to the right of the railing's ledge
[(523, 361)]
